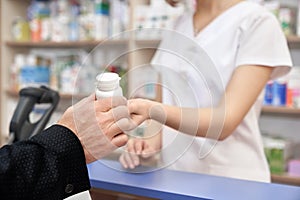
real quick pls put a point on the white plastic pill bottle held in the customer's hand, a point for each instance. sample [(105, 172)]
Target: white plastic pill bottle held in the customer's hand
[(108, 85)]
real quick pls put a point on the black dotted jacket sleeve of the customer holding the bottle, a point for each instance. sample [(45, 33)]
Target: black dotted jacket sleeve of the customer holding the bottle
[(50, 165)]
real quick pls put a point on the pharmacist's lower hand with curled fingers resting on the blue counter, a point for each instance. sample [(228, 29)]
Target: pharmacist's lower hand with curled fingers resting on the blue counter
[(136, 151)]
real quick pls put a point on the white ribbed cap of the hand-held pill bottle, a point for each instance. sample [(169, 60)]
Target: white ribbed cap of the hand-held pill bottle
[(107, 81)]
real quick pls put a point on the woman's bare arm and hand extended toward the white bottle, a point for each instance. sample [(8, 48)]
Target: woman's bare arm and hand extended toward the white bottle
[(218, 122)]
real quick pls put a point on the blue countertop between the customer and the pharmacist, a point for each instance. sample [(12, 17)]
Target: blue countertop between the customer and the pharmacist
[(169, 184)]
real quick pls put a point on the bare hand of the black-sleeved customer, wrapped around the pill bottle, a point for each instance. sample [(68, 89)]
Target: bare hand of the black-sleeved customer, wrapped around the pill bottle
[(99, 125)]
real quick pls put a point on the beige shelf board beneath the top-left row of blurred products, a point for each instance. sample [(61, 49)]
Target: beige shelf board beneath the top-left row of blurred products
[(81, 44)]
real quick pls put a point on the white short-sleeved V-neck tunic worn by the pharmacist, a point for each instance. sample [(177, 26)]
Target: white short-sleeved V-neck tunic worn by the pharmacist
[(245, 34)]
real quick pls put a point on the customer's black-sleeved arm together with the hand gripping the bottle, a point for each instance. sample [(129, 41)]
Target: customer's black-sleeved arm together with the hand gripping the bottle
[(52, 164)]
